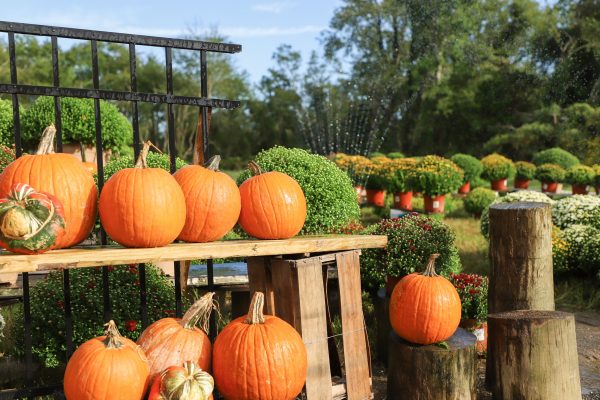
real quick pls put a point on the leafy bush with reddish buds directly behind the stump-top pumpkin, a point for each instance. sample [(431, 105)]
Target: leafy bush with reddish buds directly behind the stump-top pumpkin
[(411, 240)]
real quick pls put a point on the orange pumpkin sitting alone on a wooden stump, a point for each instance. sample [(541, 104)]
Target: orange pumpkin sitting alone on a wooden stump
[(425, 308)]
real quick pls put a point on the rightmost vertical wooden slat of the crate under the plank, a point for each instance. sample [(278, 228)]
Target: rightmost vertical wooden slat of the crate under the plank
[(356, 360)]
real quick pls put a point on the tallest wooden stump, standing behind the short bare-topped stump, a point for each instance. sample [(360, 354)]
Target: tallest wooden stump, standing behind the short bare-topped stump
[(521, 275)]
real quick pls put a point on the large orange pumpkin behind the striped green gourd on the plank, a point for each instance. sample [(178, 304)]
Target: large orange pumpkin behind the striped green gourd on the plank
[(62, 176)]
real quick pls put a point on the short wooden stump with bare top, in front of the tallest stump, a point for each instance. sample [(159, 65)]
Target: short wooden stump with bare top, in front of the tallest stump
[(533, 355)]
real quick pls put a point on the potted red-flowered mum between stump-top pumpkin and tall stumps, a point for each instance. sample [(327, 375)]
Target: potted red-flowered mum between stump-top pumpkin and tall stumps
[(473, 292)]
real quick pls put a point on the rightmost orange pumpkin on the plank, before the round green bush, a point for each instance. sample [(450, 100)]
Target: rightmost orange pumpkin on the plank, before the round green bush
[(273, 205)]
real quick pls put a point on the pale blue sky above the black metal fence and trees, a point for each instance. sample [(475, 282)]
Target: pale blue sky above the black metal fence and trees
[(258, 25)]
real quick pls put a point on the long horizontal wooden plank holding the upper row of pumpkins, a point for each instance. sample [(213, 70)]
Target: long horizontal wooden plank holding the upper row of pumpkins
[(98, 256)]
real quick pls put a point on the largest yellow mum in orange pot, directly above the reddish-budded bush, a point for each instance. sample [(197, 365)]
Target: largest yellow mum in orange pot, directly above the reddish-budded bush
[(435, 176)]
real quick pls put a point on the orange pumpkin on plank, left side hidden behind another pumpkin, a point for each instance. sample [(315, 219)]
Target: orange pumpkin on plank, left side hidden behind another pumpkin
[(212, 199)]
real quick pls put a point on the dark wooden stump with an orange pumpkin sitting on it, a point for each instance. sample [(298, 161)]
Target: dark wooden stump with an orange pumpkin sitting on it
[(417, 372)]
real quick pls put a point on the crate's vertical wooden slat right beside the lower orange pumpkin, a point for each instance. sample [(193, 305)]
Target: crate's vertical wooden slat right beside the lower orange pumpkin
[(314, 328)]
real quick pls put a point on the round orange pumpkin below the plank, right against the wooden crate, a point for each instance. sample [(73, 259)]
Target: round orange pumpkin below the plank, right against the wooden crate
[(259, 357)]
